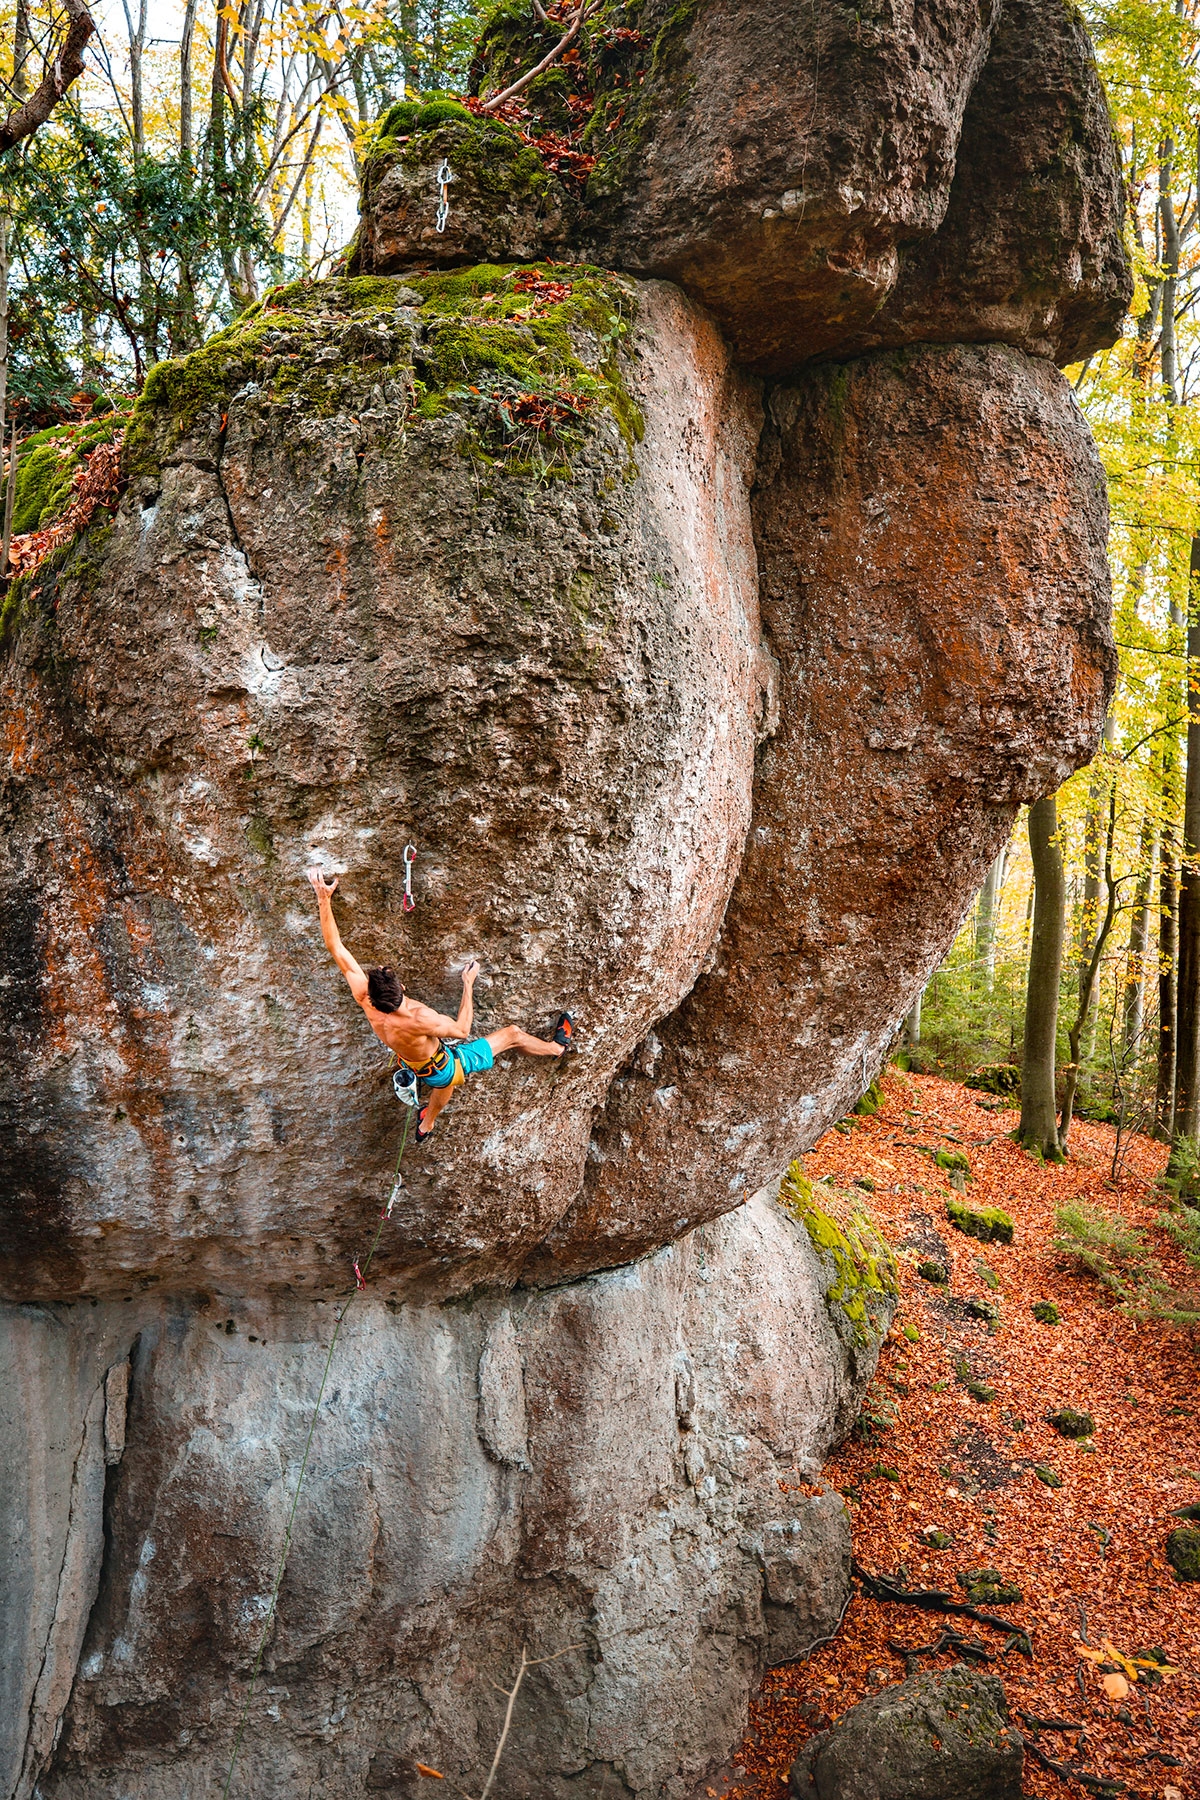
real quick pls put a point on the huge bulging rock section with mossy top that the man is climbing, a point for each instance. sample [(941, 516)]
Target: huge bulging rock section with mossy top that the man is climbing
[(359, 595)]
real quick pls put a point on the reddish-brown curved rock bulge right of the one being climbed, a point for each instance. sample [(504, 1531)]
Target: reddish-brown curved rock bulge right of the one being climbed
[(931, 530)]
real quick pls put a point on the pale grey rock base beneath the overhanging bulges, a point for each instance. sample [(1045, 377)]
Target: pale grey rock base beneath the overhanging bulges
[(616, 1475)]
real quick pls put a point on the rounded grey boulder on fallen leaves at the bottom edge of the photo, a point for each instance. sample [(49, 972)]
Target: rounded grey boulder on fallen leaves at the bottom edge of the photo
[(940, 1736)]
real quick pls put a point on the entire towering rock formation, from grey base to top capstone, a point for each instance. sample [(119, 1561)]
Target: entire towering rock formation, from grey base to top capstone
[(703, 618)]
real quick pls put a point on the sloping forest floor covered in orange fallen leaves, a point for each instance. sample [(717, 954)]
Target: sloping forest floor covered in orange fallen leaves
[(1088, 1556)]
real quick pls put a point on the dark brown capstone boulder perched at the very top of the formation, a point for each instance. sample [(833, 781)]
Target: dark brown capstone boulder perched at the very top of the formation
[(825, 181)]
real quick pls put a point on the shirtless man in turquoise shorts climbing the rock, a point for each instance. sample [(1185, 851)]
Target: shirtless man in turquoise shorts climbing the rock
[(415, 1032)]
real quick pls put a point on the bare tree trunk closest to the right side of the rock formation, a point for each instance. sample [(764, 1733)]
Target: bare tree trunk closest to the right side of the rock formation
[(1039, 1115)]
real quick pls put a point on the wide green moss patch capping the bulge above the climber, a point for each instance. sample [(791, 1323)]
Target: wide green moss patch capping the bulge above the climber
[(523, 355)]
